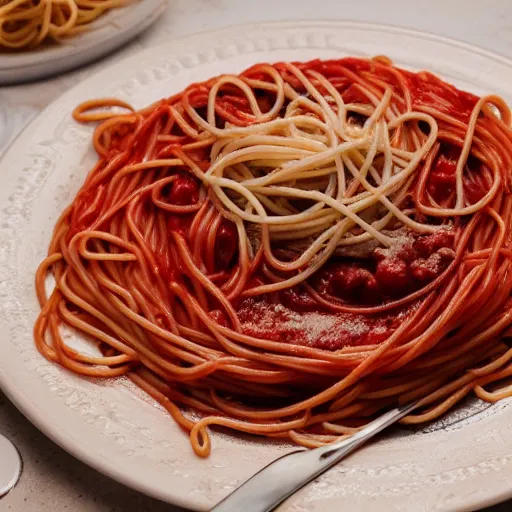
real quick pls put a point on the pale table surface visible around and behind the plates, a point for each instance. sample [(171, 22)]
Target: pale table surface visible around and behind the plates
[(52, 480)]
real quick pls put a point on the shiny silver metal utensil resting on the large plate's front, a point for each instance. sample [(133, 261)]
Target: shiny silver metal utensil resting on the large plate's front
[(269, 487)]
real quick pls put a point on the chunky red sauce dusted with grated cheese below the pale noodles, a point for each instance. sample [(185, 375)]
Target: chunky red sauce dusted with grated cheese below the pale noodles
[(294, 316)]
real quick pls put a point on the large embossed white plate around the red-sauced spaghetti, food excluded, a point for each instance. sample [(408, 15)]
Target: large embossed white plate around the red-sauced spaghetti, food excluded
[(461, 463)]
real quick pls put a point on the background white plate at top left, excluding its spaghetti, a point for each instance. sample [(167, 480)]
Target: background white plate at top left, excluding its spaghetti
[(106, 34)]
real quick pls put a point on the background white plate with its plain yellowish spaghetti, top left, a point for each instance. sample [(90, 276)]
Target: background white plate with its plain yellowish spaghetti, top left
[(45, 37)]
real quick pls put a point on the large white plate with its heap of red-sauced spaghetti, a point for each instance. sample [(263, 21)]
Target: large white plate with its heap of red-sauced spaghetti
[(261, 238)]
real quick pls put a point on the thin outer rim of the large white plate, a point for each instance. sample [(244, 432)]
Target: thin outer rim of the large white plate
[(36, 415)]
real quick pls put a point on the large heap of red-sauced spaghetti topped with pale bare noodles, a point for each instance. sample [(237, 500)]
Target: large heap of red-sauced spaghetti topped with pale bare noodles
[(290, 251)]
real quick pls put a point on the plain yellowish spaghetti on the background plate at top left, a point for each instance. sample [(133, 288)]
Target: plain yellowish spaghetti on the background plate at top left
[(28, 23)]
